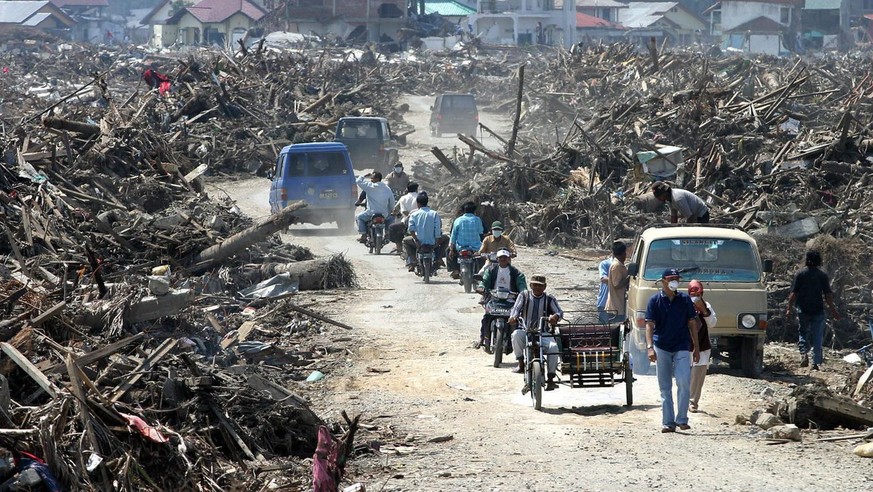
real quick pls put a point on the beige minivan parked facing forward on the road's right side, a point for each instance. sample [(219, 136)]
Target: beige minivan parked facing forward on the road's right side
[(726, 261)]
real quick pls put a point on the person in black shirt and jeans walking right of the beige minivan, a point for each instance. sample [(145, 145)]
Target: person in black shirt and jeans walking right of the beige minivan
[(810, 285)]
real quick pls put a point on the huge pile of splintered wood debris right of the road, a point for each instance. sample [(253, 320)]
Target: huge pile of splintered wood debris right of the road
[(777, 147)]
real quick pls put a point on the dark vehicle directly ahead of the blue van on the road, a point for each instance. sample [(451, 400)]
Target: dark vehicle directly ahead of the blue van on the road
[(370, 142)]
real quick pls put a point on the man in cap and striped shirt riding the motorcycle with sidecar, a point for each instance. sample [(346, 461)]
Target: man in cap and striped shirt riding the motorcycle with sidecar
[(533, 305)]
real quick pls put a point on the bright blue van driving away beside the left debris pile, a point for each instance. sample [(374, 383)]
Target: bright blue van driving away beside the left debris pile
[(320, 174)]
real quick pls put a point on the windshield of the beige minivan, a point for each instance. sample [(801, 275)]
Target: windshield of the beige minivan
[(720, 260)]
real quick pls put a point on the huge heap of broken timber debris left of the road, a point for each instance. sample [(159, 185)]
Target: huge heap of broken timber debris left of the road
[(151, 333)]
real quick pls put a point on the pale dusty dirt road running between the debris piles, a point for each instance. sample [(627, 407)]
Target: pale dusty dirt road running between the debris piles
[(437, 385)]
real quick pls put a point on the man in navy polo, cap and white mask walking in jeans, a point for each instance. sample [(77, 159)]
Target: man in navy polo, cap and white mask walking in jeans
[(671, 329)]
